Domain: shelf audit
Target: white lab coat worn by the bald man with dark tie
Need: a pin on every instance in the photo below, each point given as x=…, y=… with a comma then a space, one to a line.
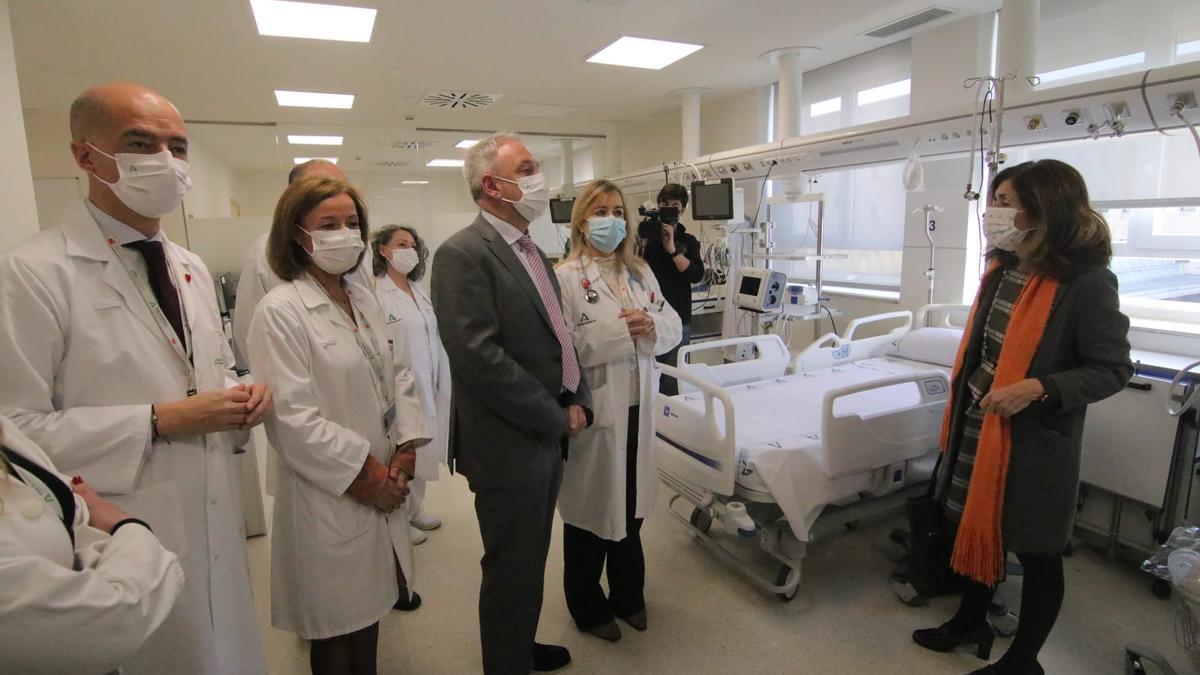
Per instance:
x=82, y=363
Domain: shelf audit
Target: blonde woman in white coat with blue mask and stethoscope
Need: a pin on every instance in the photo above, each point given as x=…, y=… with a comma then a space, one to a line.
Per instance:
x=620, y=324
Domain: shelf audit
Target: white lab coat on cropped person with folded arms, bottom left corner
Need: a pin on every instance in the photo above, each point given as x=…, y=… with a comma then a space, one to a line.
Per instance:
x=75, y=608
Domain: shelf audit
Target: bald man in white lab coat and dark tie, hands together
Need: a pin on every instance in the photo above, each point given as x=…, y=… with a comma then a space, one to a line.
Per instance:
x=118, y=367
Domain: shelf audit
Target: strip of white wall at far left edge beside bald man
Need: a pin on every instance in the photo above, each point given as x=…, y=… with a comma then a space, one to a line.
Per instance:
x=16, y=180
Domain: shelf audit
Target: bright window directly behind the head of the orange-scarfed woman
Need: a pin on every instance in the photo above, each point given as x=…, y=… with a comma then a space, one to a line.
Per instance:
x=1145, y=188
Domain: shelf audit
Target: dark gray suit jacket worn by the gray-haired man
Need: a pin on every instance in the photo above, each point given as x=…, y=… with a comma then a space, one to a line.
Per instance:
x=508, y=421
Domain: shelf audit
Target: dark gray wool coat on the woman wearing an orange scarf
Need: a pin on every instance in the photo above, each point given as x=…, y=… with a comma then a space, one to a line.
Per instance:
x=1083, y=359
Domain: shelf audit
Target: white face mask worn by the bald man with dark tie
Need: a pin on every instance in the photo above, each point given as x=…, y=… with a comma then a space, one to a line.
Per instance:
x=152, y=186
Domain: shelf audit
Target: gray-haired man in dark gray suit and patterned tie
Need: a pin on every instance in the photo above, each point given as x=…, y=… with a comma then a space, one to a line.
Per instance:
x=519, y=393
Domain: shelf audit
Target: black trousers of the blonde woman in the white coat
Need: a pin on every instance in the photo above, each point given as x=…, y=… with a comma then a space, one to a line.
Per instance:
x=586, y=557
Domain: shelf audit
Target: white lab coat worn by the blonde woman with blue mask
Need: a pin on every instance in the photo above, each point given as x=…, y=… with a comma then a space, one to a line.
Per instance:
x=593, y=493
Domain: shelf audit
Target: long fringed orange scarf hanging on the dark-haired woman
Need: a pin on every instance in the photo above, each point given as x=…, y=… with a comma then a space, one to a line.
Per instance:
x=979, y=549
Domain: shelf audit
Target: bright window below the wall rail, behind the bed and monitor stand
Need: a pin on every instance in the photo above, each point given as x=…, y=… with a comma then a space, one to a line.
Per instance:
x=865, y=218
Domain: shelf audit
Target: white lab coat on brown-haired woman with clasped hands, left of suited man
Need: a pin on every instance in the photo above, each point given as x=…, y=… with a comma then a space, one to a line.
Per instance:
x=333, y=568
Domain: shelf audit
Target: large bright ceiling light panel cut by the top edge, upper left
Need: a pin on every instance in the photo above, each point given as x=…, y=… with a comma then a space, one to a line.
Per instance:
x=280, y=19
